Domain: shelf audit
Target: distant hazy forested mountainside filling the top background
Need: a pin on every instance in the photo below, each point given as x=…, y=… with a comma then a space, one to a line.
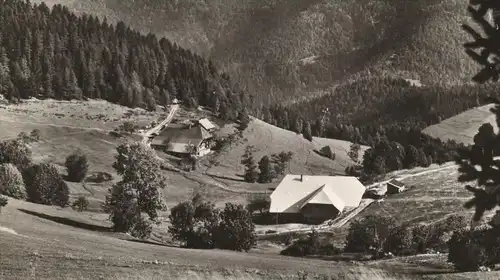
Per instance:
x=301, y=46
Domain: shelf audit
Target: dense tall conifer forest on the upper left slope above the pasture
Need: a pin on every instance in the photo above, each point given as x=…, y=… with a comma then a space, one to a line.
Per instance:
x=52, y=53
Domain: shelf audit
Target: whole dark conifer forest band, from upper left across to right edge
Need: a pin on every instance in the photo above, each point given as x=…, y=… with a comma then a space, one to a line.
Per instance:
x=52, y=53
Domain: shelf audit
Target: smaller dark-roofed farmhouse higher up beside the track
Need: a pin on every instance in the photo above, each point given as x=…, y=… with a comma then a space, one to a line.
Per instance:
x=182, y=140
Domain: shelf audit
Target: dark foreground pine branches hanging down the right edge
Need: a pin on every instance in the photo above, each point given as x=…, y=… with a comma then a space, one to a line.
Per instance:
x=486, y=142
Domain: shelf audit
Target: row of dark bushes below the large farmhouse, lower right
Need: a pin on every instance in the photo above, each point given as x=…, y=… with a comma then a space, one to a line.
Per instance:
x=381, y=235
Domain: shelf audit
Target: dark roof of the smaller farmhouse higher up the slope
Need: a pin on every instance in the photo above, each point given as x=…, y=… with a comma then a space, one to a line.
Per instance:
x=181, y=135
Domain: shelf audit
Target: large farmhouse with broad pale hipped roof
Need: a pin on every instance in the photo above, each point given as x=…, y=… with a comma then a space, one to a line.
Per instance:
x=315, y=198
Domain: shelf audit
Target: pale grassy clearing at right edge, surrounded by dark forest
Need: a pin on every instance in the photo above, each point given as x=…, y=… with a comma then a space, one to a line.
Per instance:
x=462, y=127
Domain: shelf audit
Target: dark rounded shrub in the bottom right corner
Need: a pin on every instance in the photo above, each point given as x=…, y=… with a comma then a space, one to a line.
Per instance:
x=470, y=249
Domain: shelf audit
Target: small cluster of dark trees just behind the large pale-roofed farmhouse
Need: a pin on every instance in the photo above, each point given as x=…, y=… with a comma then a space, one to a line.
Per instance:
x=267, y=169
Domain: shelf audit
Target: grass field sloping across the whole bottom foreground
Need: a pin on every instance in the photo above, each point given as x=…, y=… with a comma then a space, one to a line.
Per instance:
x=42, y=242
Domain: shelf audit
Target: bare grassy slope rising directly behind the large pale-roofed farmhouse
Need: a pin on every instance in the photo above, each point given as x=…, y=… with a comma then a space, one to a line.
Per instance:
x=268, y=139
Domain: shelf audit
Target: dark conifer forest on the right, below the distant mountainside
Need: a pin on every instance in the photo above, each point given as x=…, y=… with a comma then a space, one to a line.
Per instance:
x=376, y=112
